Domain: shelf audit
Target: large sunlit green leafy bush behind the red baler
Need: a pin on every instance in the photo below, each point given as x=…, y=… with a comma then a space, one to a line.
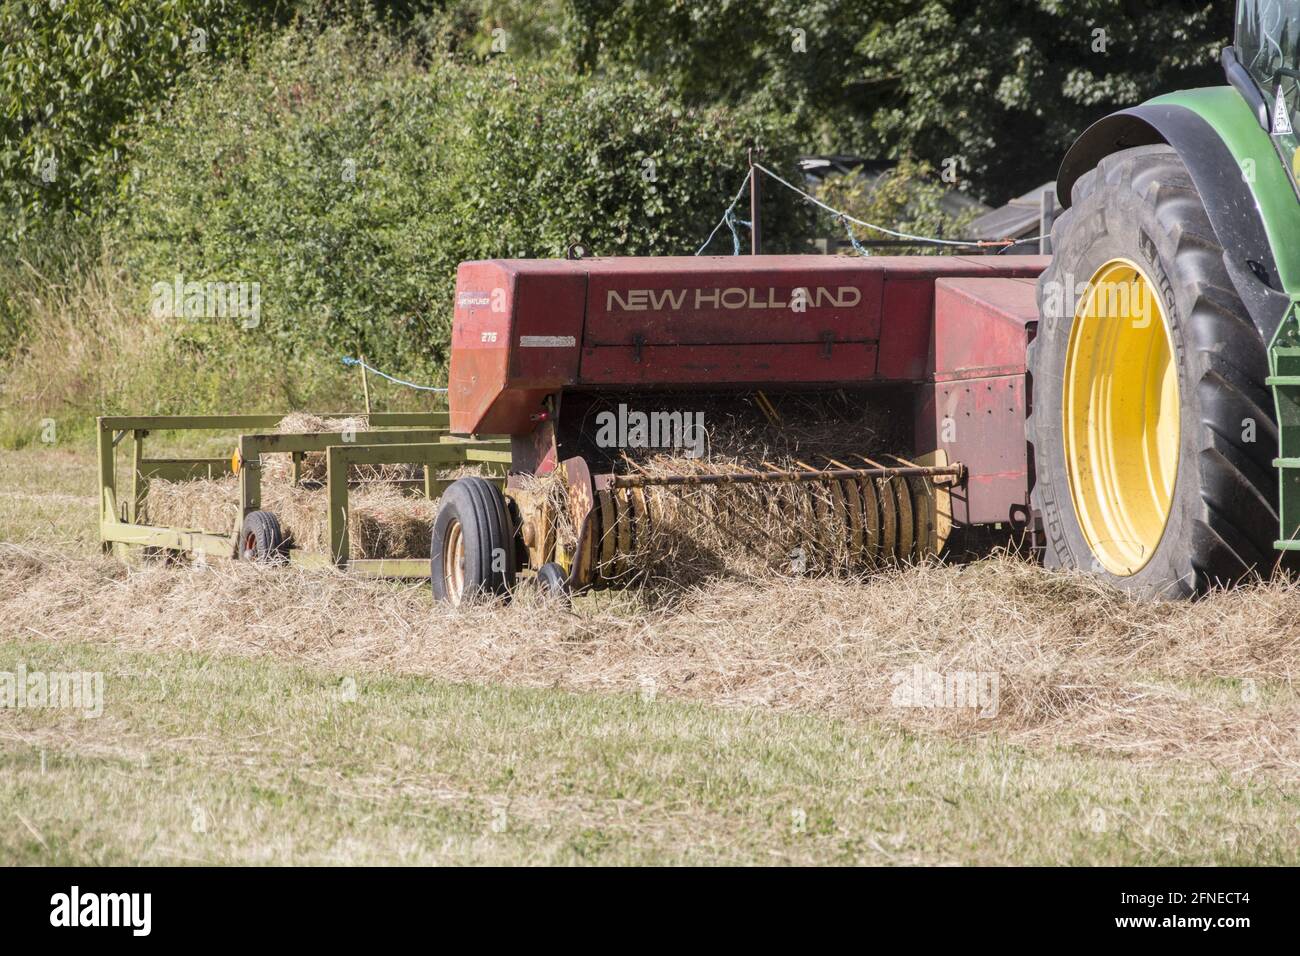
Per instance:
x=349, y=181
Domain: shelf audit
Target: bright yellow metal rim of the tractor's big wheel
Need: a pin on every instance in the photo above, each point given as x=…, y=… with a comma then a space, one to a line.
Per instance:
x=1121, y=417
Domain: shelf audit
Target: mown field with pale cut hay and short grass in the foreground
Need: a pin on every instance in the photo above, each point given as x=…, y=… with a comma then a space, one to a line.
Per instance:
x=279, y=717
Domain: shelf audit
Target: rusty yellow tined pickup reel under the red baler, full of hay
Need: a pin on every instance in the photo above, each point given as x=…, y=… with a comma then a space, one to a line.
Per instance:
x=805, y=520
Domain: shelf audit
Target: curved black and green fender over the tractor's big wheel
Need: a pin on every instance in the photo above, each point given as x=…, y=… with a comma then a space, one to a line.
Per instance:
x=1219, y=174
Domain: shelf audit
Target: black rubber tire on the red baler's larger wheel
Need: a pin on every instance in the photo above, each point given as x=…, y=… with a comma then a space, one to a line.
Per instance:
x=479, y=508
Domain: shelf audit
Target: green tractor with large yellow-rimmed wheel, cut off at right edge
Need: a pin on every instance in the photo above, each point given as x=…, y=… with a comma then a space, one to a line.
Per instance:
x=1167, y=369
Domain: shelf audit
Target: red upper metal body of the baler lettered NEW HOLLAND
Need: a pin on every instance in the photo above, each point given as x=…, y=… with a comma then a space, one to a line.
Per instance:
x=526, y=330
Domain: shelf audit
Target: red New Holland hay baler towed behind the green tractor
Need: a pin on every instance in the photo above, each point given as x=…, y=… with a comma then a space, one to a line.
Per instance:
x=938, y=340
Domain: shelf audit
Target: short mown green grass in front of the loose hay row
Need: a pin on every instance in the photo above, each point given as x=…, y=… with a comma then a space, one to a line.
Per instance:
x=280, y=768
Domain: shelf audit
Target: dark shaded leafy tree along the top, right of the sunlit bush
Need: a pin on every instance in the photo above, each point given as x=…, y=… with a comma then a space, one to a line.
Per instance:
x=998, y=88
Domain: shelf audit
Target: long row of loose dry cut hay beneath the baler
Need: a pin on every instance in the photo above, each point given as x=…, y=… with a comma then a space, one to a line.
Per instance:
x=999, y=648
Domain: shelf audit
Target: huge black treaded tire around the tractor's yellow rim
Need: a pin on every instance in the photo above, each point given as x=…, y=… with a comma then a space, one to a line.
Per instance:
x=1142, y=205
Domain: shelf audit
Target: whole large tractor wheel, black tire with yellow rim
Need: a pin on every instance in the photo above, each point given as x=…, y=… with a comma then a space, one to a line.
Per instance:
x=1152, y=429
